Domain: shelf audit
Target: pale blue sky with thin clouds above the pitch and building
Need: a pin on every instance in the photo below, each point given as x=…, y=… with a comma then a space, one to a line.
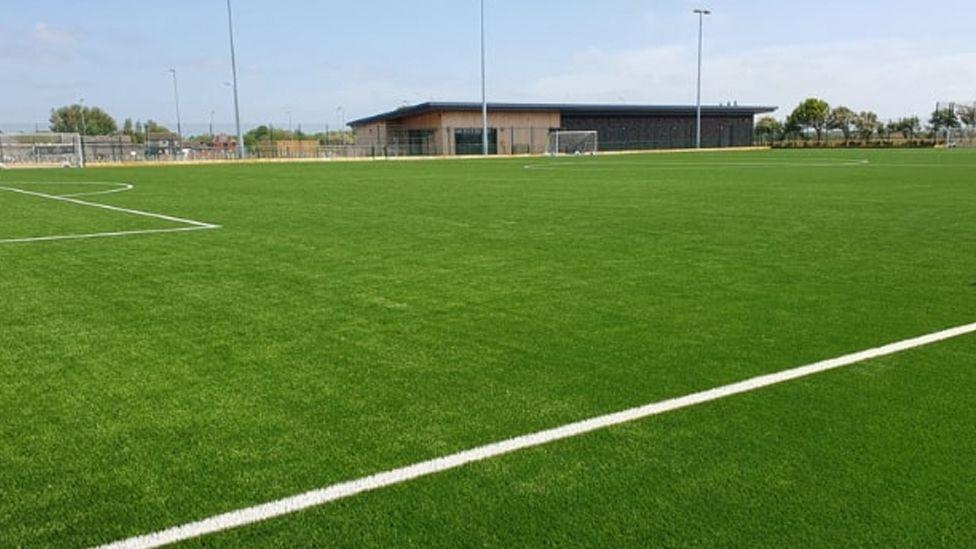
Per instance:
x=303, y=60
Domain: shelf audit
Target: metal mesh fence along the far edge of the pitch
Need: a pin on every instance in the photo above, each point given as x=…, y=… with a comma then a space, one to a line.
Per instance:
x=51, y=149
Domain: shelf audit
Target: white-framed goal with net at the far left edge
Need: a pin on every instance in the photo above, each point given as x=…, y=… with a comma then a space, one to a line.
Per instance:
x=41, y=149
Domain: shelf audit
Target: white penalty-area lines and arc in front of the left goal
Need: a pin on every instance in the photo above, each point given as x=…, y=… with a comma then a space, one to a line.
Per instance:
x=193, y=225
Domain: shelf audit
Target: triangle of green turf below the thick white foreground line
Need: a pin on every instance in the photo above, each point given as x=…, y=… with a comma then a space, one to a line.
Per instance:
x=840, y=470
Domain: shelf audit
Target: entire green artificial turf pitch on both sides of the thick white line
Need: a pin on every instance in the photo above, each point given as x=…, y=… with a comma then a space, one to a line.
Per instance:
x=350, y=318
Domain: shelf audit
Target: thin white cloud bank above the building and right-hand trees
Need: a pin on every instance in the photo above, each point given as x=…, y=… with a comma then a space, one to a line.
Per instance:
x=891, y=77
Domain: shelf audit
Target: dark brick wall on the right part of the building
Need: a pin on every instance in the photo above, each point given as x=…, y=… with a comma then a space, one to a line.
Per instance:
x=653, y=132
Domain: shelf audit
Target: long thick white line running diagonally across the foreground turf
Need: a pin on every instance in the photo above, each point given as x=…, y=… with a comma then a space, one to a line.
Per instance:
x=315, y=498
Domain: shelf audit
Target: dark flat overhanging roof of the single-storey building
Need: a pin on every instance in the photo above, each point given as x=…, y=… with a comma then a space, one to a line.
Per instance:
x=568, y=109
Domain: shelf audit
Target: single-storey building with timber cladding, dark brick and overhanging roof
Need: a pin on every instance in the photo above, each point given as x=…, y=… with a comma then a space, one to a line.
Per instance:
x=447, y=129
